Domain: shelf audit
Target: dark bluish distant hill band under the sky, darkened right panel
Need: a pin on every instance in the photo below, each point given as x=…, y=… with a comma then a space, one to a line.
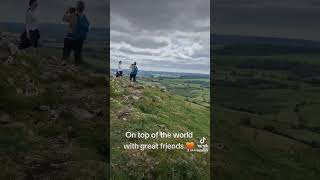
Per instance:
x=255, y=46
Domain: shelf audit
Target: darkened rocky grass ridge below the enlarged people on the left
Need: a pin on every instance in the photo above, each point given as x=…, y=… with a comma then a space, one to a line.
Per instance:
x=51, y=116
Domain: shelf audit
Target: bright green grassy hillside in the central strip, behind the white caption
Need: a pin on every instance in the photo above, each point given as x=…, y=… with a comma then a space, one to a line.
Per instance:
x=149, y=114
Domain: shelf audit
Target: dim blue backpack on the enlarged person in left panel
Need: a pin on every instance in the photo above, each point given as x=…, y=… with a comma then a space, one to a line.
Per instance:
x=82, y=28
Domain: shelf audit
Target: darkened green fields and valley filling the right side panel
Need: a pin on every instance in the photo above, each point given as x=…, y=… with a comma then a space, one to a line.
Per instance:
x=266, y=115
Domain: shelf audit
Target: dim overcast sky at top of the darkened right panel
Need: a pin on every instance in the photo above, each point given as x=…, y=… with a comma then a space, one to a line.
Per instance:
x=276, y=18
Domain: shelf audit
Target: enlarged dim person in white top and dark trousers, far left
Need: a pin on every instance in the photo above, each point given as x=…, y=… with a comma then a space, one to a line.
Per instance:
x=31, y=35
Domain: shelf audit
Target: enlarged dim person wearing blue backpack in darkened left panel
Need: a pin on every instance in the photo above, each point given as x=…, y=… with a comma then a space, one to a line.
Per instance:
x=79, y=28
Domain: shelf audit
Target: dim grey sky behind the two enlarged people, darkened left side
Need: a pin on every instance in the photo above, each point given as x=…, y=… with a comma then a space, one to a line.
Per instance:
x=51, y=11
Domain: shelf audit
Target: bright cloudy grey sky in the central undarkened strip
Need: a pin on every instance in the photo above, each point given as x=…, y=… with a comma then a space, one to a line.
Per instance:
x=161, y=35
